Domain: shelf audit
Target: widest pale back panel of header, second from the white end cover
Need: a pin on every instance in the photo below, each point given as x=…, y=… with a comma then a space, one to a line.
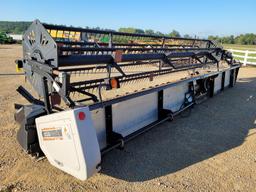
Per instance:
x=131, y=115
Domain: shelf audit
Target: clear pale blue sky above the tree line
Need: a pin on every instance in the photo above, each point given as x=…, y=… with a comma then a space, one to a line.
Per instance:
x=193, y=17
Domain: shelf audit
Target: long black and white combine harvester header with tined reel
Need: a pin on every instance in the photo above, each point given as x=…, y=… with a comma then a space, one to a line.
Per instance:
x=97, y=89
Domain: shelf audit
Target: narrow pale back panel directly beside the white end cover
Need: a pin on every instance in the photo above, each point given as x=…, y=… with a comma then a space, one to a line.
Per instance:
x=99, y=123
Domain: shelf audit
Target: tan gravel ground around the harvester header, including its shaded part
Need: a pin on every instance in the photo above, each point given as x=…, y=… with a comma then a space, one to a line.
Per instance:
x=213, y=149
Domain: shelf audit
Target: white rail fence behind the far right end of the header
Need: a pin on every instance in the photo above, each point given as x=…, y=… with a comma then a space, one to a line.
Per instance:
x=244, y=56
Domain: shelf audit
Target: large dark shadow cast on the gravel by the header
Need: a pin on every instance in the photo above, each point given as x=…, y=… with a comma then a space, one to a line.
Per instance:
x=213, y=127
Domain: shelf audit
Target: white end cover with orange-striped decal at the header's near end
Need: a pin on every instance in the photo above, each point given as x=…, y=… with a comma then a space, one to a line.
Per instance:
x=70, y=143
